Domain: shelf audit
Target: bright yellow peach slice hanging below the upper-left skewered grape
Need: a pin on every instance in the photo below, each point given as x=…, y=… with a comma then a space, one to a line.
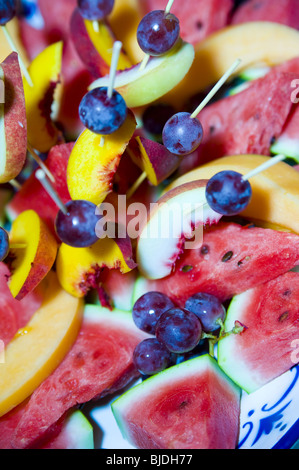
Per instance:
x=91, y=166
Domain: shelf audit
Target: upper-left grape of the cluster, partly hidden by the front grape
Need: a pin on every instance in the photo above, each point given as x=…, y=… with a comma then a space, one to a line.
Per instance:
x=148, y=309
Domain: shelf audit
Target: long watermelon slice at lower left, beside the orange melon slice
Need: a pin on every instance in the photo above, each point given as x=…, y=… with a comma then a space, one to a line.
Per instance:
x=99, y=363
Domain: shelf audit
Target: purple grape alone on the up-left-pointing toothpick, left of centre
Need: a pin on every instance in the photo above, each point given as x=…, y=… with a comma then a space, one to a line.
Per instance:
x=77, y=227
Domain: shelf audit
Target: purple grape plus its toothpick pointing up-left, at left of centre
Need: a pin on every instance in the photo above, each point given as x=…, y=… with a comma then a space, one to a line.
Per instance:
x=76, y=221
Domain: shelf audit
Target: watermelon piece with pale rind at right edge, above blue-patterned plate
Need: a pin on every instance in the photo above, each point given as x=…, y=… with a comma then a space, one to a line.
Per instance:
x=265, y=349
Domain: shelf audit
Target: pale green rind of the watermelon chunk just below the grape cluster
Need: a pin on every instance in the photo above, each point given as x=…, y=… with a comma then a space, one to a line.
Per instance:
x=149, y=387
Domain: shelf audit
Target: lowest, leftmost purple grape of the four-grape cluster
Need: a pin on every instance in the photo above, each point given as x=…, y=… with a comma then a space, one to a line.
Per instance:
x=151, y=357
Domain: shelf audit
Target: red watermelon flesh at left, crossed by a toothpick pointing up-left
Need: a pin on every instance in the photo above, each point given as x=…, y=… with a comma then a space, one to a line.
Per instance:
x=32, y=194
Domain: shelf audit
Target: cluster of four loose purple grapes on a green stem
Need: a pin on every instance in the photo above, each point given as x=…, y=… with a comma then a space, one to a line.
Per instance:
x=176, y=331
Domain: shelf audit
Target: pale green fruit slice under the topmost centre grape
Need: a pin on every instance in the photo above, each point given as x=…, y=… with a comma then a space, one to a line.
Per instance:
x=162, y=74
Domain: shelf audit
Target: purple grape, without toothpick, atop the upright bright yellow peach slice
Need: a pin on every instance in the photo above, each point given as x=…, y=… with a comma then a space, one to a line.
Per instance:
x=101, y=114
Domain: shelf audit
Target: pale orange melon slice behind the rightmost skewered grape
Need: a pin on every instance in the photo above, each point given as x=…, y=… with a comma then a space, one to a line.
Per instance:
x=275, y=192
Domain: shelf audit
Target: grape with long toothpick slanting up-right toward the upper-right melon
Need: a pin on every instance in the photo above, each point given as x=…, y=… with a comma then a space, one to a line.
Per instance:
x=183, y=133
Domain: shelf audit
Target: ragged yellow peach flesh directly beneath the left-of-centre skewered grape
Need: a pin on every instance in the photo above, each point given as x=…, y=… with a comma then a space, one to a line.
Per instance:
x=73, y=265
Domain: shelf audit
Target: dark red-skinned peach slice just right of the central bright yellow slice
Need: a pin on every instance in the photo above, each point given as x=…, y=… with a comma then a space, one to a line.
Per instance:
x=153, y=158
